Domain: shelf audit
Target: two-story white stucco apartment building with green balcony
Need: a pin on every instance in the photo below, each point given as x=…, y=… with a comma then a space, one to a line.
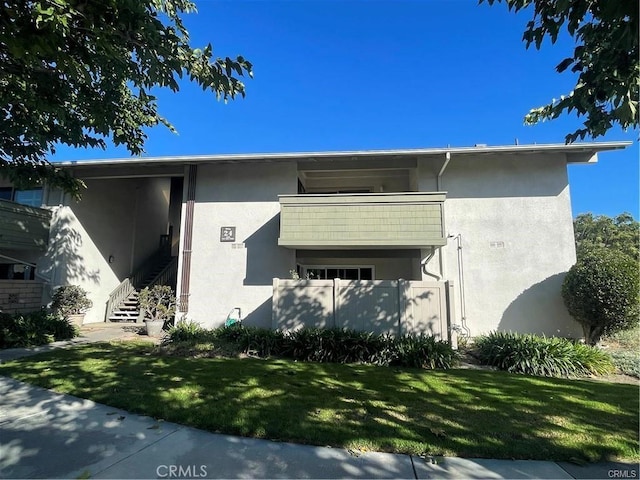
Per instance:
x=443, y=240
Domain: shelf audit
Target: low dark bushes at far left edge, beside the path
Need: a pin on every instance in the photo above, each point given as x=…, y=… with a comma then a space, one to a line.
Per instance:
x=32, y=329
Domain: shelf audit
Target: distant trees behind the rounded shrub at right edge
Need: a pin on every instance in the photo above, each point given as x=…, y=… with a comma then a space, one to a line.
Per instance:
x=621, y=233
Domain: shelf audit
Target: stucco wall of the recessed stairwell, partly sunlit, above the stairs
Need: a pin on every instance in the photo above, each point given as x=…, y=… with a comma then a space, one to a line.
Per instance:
x=123, y=218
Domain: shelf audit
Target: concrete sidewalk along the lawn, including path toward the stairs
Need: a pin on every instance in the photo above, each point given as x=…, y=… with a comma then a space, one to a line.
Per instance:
x=44, y=434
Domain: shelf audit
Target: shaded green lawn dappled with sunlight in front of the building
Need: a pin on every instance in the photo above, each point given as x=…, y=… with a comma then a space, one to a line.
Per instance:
x=467, y=413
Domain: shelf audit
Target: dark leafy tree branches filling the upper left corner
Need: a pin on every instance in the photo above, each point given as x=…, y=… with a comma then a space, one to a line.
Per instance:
x=77, y=72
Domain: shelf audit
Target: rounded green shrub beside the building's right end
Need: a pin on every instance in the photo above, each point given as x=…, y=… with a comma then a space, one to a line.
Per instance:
x=601, y=293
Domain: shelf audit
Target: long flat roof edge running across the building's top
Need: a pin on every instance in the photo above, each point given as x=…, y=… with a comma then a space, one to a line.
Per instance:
x=576, y=153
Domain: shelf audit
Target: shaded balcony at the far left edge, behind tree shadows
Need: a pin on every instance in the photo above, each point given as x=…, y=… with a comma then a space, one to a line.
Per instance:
x=23, y=227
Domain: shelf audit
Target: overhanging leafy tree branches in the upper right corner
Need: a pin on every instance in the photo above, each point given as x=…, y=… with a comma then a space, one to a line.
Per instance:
x=606, y=59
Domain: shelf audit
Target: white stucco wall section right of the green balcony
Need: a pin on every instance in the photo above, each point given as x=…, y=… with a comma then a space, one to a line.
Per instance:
x=514, y=218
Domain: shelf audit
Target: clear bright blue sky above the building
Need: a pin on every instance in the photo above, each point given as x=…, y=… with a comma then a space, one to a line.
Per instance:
x=368, y=74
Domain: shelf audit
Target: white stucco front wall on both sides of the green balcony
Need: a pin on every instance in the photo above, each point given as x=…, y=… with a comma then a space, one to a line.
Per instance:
x=513, y=215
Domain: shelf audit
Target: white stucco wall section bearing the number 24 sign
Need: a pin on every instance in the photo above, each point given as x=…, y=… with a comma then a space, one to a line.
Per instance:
x=238, y=274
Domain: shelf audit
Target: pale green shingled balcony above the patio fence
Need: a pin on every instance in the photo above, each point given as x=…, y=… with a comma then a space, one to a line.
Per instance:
x=362, y=221
